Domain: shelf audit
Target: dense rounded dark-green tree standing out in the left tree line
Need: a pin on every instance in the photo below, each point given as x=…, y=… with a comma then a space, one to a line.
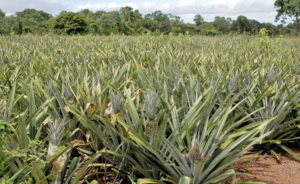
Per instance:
x=69, y=23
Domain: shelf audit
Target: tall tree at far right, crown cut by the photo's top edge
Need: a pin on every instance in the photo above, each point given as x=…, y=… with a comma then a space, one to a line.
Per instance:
x=289, y=8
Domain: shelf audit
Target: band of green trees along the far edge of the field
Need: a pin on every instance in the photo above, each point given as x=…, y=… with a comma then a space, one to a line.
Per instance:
x=128, y=21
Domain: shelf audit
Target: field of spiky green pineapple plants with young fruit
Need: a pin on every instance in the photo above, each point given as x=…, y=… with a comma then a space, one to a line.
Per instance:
x=145, y=109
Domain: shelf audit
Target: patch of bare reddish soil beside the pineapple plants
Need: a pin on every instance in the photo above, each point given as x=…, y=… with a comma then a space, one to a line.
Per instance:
x=269, y=170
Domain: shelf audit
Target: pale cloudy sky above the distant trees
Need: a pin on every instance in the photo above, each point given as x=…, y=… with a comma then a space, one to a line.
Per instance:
x=262, y=10
